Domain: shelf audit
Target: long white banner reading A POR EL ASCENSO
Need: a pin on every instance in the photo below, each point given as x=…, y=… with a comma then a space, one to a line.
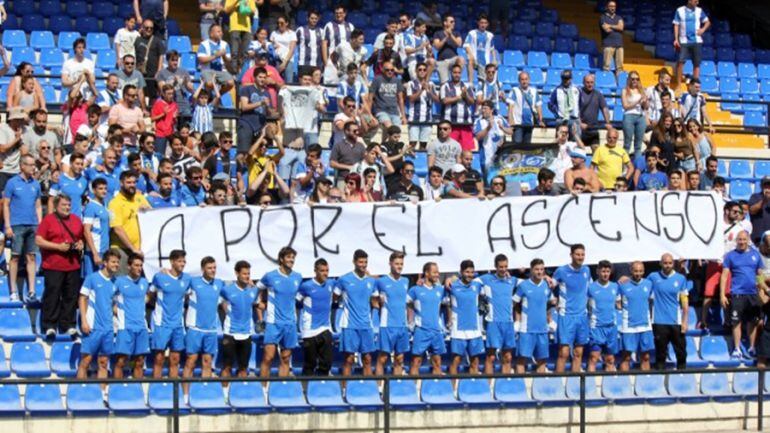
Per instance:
x=617, y=227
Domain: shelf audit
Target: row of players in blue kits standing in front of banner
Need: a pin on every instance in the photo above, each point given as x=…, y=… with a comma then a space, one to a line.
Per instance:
x=494, y=314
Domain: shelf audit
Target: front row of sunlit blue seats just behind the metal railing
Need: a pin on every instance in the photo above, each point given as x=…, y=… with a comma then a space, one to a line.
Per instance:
x=208, y=398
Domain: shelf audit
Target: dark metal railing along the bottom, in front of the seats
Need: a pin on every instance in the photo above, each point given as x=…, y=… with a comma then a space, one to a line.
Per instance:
x=386, y=379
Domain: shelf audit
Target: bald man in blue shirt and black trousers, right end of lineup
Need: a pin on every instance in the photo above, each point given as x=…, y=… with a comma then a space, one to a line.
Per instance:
x=670, y=304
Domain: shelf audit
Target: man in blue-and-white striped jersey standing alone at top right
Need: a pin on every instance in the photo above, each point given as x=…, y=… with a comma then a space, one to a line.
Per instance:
x=690, y=23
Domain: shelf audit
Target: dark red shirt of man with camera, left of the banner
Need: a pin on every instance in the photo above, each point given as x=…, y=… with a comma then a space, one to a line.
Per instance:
x=52, y=230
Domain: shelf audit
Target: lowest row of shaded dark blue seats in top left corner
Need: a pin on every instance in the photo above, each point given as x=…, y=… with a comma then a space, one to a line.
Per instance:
x=84, y=23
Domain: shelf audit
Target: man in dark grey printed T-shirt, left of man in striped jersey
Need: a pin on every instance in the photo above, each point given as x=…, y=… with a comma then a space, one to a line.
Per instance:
x=386, y=97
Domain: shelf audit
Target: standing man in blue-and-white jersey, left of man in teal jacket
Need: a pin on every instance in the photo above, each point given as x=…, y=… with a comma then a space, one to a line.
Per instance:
x=524, y=110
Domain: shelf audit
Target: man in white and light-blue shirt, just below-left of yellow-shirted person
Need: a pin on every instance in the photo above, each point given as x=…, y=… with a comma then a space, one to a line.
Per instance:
x=213, y=56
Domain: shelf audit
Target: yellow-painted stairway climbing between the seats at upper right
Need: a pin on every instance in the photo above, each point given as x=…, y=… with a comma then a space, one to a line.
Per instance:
x=582, y=13
